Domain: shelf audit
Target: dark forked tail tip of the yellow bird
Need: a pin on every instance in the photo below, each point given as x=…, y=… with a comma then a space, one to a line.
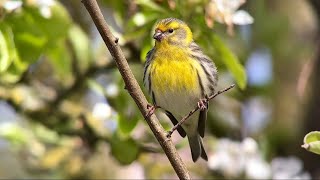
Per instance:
x=197, y=148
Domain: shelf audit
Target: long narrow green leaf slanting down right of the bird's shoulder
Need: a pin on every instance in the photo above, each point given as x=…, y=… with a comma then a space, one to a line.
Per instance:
x=231, y=61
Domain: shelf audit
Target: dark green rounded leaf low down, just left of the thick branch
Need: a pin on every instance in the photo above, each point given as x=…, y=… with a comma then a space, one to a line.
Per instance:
x=124, y=150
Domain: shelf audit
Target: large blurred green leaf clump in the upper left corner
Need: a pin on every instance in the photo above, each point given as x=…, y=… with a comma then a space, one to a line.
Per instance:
x=33, y=33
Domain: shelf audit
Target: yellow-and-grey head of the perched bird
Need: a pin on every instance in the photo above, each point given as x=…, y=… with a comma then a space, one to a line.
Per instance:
x=173, y=32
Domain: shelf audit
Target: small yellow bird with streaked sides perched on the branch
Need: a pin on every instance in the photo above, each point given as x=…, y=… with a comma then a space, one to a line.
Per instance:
x=177, y=75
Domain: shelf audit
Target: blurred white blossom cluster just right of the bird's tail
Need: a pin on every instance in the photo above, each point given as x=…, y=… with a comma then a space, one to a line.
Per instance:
x=233, y=159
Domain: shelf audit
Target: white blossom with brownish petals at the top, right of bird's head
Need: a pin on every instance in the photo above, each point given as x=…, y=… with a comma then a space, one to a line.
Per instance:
x=225, y=11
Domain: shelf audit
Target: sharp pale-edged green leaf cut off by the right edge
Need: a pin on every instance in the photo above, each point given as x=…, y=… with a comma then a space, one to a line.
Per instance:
x=312, y=142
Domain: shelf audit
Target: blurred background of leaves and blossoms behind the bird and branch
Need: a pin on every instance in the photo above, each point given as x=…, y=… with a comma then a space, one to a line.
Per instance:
x=64, y=111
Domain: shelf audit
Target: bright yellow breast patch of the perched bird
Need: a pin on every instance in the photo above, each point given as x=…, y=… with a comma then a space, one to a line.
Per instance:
x=173, y=71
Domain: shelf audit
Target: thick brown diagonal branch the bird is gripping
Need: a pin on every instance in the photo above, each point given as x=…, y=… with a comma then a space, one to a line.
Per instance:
x=134, y=89
